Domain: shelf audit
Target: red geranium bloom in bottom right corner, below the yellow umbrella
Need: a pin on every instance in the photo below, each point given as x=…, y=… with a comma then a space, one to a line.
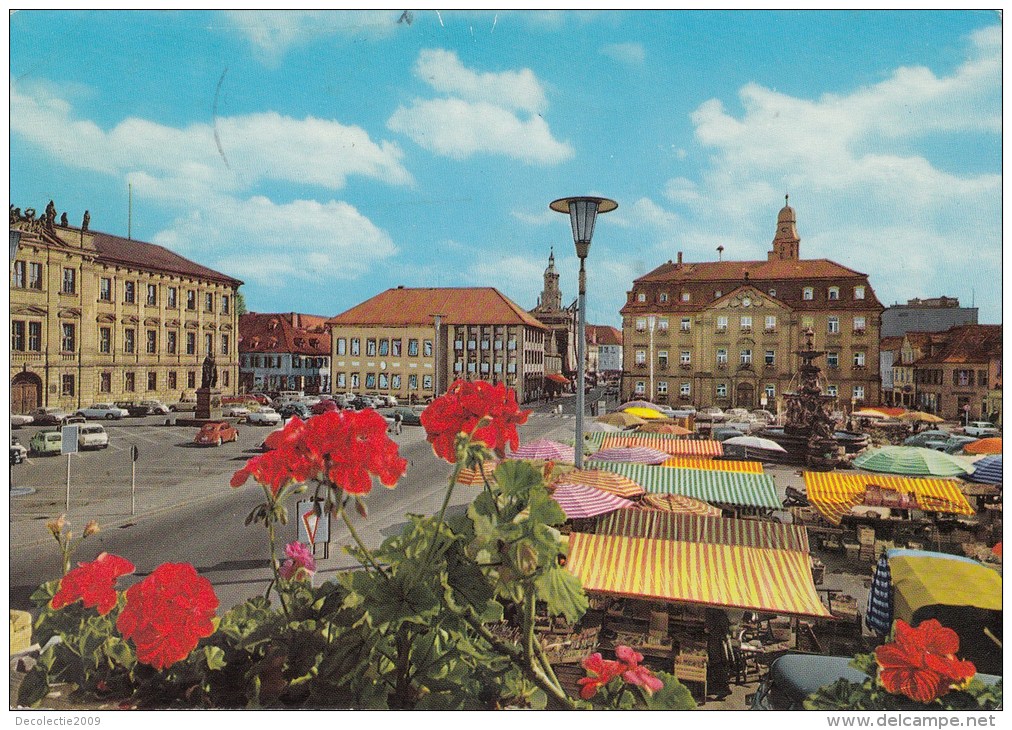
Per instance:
x=920, y=664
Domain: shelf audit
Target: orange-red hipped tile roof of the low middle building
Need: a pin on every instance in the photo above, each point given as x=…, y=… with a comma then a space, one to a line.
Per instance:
x=465, y=305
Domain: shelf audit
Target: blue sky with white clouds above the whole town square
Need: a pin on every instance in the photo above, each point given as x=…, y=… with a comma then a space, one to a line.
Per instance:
x=323, y=157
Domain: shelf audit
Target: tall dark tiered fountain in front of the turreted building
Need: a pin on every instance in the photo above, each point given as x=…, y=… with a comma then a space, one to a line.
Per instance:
x=808, y=433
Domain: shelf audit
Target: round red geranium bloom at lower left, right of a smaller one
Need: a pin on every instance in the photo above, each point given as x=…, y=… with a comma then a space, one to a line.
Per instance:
x=167, y=614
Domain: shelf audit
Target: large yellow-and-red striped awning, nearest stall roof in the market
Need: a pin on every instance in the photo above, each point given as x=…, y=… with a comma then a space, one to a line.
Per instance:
x=723, y=573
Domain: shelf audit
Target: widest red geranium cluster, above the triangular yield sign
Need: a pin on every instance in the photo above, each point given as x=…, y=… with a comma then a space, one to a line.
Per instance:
x=347, y=449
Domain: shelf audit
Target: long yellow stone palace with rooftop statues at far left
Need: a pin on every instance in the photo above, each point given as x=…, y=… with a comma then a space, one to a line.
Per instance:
x=100, y=318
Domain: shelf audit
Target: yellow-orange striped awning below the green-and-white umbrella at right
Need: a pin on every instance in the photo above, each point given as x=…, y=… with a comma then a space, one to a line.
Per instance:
x=835, y=495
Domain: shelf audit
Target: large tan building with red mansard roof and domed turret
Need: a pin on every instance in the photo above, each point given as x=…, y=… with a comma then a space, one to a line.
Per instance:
x=724, y=334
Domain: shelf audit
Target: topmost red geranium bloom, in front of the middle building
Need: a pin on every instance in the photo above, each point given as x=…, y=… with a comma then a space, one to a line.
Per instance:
x=463, y=408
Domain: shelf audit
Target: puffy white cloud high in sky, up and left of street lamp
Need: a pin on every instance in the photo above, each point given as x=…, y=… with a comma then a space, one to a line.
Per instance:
x=482, y=117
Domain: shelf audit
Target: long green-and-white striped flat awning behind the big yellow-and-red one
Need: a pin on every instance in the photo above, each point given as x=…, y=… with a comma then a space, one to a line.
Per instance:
x=731, y=489
